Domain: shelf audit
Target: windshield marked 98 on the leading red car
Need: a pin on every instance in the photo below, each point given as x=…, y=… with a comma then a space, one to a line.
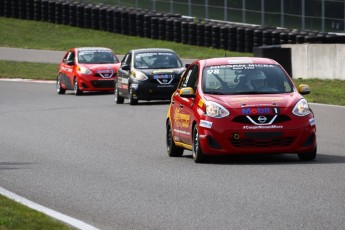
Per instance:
x=245, y=79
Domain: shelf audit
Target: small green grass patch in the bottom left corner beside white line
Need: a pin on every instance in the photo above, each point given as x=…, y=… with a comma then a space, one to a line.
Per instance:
x=16, y=216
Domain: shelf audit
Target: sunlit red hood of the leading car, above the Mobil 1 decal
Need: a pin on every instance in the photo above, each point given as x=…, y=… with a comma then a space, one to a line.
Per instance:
x=240, y=101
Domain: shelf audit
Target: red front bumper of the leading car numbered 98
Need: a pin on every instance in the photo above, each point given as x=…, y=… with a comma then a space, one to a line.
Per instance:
x=224, y=139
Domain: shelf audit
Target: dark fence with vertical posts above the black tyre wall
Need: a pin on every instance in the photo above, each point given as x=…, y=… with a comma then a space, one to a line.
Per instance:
x=321, y=15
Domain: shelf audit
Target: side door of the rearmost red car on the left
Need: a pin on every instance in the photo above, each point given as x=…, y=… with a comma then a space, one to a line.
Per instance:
x=66, y=69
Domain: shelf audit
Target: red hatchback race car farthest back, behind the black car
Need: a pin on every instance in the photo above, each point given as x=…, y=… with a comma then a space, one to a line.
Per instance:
x=87, y=69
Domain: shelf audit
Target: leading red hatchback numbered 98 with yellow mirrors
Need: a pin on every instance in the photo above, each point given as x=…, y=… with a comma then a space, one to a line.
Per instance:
x=234, y=105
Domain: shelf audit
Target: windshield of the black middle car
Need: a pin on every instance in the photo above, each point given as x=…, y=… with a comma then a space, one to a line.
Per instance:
x=156, y=60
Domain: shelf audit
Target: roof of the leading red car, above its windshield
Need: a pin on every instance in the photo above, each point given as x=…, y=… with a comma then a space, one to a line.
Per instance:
x=237, y=61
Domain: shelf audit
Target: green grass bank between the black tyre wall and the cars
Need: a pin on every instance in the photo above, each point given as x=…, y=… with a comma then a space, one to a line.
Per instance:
x=48, y=36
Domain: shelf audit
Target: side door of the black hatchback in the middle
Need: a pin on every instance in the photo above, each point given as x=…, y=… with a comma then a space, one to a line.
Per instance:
x=123, y=76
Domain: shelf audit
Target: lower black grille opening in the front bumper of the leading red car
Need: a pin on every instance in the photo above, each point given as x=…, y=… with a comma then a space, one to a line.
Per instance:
x=262, y=143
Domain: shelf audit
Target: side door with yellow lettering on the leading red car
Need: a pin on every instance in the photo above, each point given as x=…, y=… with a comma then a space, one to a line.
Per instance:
x=182, y=107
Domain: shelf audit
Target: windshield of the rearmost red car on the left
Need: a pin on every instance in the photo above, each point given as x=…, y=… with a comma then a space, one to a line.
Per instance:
x=96, y=56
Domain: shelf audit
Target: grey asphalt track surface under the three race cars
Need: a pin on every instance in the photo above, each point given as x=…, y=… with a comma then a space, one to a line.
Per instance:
x=106, y=165
